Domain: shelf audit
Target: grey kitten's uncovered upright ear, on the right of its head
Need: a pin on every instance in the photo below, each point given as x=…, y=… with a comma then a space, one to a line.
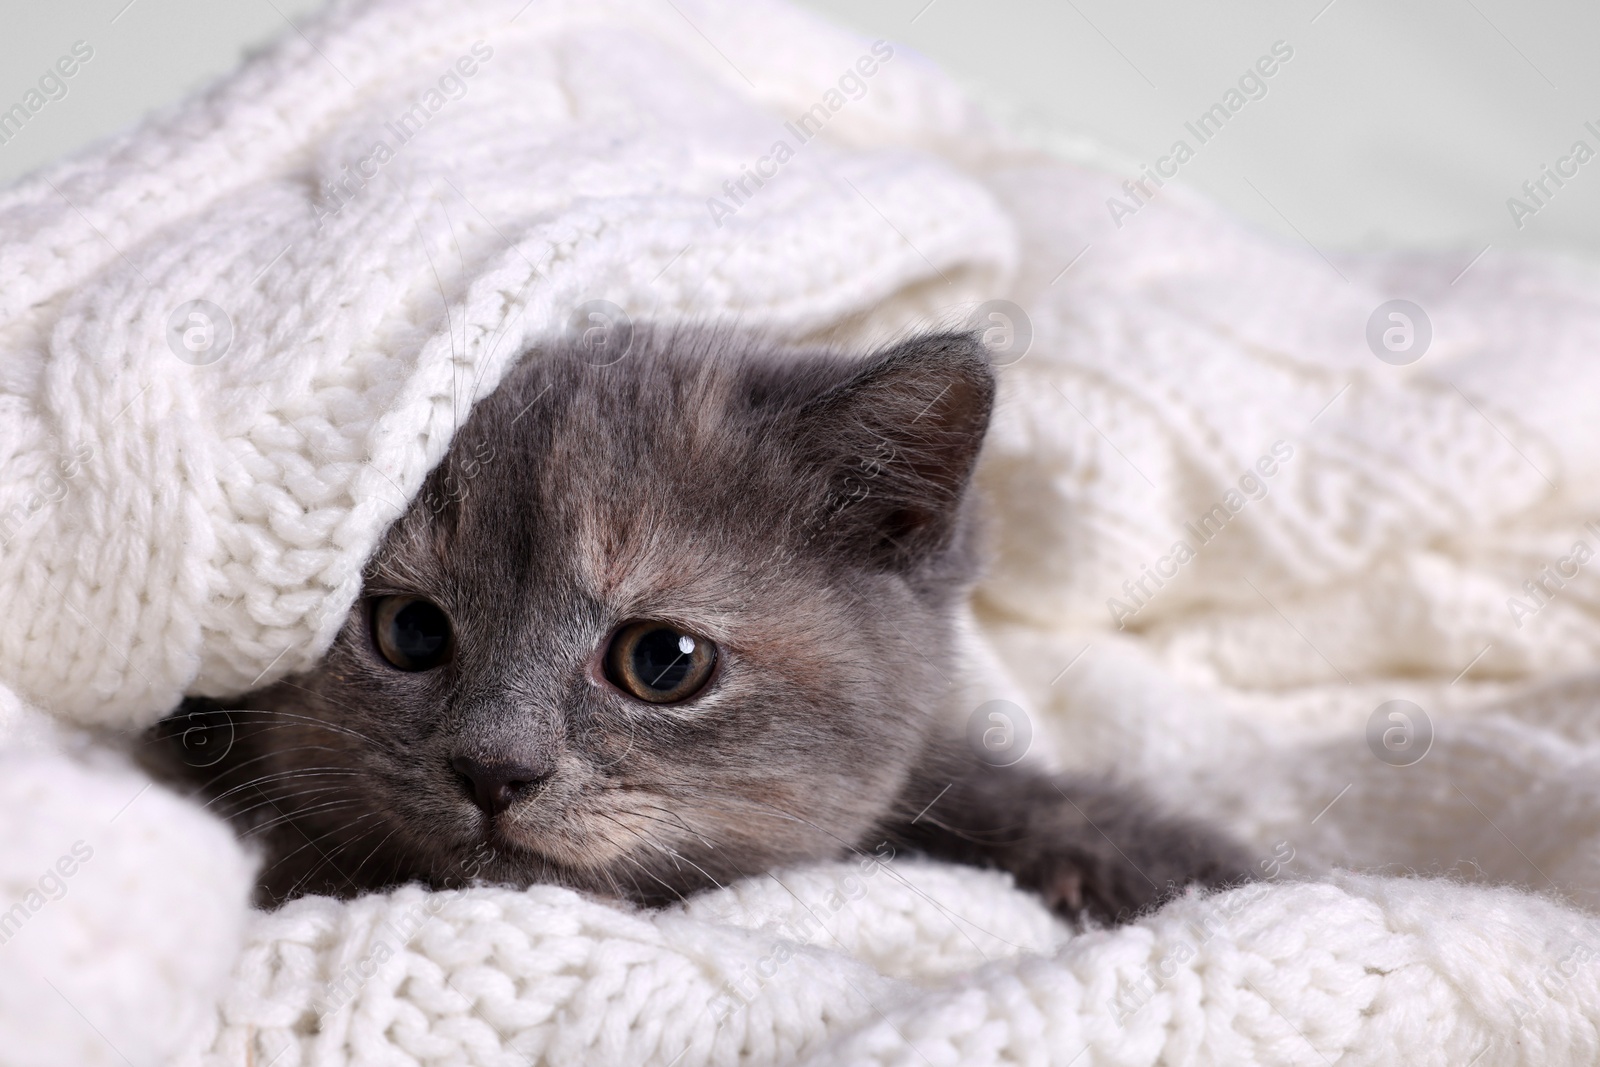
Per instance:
x=898, y=441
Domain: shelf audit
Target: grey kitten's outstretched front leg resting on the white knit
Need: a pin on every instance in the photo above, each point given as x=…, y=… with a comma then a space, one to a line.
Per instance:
x=1087, y=847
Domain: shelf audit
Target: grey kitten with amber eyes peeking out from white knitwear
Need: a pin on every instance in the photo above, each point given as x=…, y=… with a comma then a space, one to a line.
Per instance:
x=665, y=623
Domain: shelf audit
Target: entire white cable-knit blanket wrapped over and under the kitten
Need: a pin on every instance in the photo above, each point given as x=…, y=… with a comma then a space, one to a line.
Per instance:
x=1228, y=535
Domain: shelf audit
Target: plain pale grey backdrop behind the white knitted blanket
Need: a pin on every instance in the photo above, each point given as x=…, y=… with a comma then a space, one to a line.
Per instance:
x=1394, y=122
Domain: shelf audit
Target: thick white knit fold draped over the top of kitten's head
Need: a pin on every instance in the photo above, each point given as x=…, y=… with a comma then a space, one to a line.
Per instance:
x=215, y=533
